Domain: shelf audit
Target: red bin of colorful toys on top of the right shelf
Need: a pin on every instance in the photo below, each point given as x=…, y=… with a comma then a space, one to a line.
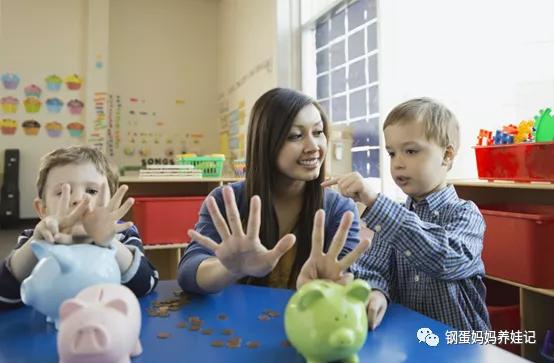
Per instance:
x=519, y=162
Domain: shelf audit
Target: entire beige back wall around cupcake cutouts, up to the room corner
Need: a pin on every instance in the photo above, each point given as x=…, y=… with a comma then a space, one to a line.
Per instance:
x=165, y=57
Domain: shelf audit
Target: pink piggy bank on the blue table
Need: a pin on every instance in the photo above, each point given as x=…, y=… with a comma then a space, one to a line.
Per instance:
x=100, y=324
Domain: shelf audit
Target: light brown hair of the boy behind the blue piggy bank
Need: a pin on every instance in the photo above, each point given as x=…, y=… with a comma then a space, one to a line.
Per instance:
x=76, y=155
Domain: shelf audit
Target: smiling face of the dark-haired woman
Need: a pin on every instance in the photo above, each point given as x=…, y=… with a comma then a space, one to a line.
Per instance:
x=305, y=146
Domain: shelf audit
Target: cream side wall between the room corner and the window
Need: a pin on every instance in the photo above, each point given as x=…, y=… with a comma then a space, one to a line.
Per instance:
x=246, y=68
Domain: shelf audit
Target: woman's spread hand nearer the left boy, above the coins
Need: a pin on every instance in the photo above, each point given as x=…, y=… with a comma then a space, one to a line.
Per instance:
x=242, y=254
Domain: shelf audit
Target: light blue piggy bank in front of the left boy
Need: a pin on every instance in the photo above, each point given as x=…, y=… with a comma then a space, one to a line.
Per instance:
x=63, y=271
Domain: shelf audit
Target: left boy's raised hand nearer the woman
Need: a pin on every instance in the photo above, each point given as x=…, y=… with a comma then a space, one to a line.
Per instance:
x=100, y=223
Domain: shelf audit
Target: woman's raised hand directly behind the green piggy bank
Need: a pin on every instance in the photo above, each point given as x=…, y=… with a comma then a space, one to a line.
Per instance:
x=320, y=265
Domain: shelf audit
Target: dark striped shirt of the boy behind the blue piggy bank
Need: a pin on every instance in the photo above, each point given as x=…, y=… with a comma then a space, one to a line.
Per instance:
x=141, y=277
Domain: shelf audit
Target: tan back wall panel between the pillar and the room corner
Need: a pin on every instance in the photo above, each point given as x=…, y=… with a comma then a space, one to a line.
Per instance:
x=163, y=62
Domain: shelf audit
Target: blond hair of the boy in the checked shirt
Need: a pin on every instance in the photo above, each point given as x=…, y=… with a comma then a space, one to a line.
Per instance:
x=439, y=122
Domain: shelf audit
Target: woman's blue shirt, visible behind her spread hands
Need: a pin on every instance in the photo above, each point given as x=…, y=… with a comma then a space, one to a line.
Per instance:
x=334, y=205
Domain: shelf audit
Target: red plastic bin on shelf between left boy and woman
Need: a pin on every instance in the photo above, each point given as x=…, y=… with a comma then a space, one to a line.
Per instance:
x=165, y=220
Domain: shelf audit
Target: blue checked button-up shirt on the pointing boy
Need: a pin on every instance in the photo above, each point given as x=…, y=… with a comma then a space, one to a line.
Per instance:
x=426, y=256
